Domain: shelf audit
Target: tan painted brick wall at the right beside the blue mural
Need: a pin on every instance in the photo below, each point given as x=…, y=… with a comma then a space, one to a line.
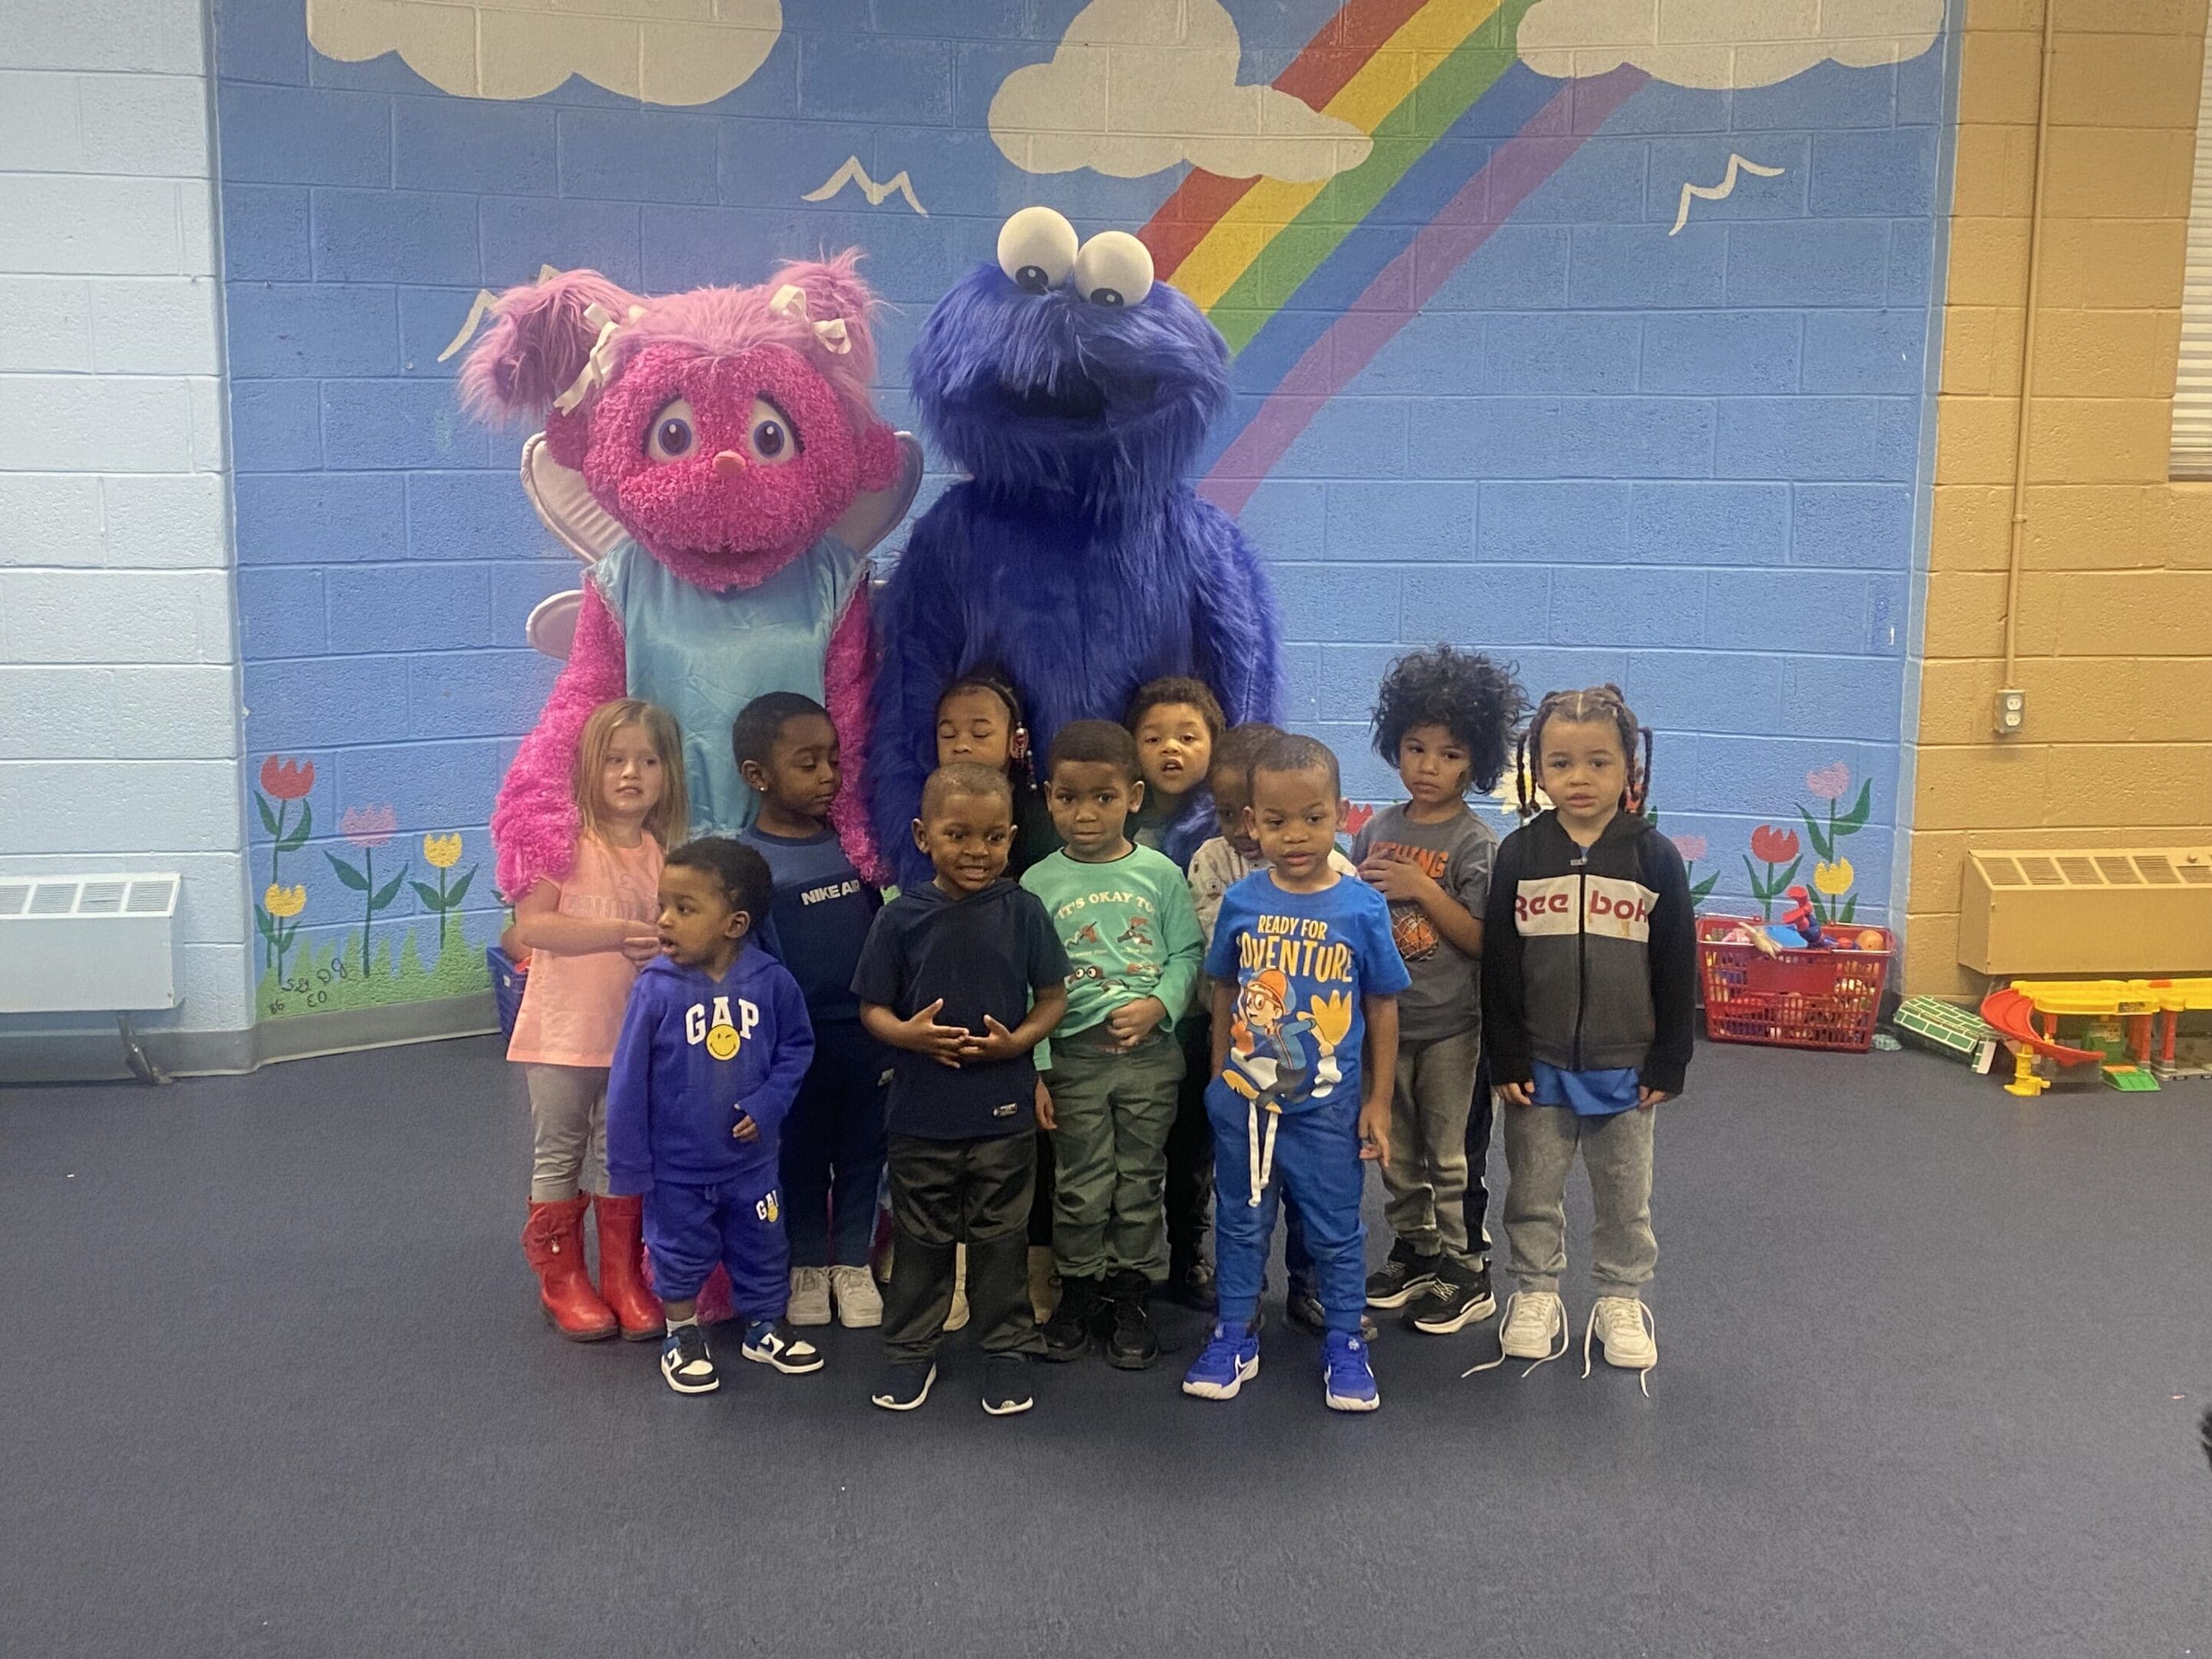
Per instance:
x=2116, y=596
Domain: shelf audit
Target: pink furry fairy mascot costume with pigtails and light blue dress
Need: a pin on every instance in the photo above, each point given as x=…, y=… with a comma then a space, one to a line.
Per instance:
x=700, y=450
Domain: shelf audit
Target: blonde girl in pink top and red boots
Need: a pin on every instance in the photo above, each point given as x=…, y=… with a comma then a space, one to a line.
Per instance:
x=587, y=935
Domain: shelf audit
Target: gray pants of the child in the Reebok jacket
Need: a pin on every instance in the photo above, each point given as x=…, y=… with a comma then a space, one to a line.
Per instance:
x=1618, y=1154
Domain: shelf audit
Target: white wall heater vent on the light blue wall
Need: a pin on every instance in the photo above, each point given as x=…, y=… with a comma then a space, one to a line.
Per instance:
x=87, y=943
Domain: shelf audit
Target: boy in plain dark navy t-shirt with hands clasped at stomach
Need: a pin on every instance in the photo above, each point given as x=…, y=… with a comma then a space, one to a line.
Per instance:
x=963, y=979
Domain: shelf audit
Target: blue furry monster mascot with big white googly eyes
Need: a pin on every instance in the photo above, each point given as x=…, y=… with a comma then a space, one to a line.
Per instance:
x=1074, y=559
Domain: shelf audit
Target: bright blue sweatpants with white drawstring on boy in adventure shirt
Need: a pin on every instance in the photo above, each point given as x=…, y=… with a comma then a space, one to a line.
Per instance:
x=1317, y=1162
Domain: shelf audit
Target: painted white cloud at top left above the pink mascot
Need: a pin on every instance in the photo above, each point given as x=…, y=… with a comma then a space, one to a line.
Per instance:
x=662, y=52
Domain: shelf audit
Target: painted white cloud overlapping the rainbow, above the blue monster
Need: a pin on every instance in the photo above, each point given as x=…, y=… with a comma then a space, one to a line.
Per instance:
x=1140, y=85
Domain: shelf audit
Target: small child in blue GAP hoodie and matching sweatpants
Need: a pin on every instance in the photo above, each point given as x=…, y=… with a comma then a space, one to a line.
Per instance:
x=709, y=1063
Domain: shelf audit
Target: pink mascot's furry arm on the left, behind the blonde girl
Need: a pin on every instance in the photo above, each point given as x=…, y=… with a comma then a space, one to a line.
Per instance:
x=536, y=824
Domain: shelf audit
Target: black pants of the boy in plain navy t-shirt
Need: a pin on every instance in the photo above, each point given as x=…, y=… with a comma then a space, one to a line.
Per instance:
x=948, y=1193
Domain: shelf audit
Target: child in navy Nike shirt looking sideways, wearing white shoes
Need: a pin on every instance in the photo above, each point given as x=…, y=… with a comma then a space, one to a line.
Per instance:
x=833, y=1142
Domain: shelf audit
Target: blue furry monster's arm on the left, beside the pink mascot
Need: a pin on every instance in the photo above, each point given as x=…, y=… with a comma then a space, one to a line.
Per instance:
x=919, y=638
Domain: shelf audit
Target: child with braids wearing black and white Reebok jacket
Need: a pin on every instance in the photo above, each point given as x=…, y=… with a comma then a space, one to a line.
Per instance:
x=1589, y=966
